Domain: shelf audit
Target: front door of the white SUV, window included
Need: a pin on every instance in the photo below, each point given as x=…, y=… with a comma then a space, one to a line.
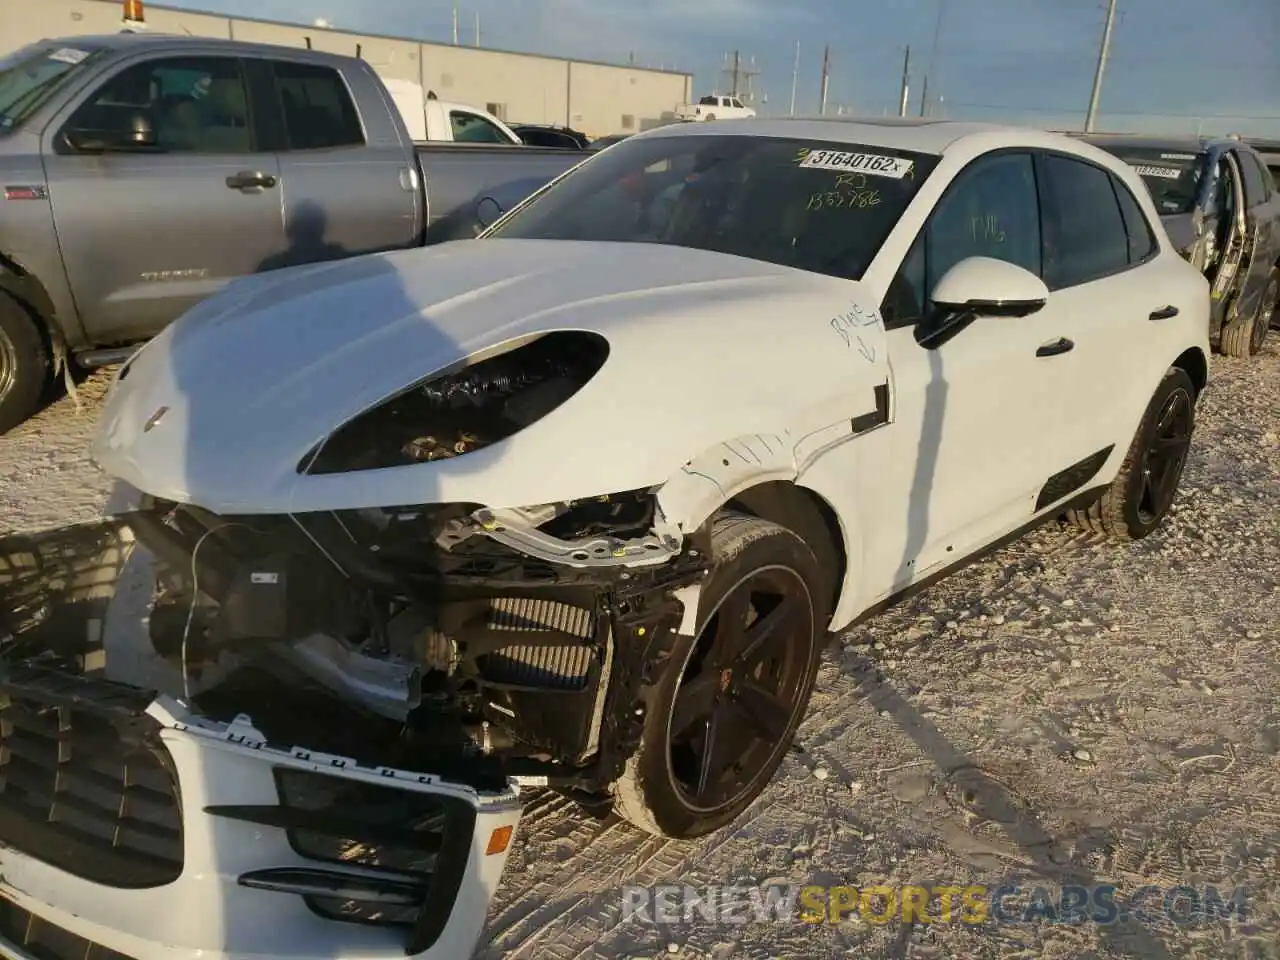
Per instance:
x=975, y=419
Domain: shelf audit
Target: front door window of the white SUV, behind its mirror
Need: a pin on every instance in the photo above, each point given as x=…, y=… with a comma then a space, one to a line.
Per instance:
x=991, y=211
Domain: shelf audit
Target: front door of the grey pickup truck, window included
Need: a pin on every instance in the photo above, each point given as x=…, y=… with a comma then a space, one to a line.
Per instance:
x=149, y=231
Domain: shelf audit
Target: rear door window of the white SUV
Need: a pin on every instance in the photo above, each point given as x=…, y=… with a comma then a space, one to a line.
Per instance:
x=1089, y=240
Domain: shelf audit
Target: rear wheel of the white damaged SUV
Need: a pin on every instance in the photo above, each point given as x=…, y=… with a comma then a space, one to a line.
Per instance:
x=1130, y=510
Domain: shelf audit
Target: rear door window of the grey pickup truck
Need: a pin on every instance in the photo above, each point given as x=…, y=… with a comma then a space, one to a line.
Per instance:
x=317, y=107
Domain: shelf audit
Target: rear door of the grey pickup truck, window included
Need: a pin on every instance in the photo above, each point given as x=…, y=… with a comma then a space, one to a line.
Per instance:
x=351, y=182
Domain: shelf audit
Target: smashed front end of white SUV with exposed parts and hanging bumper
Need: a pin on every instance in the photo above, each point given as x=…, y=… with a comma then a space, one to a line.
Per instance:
x=294, y=708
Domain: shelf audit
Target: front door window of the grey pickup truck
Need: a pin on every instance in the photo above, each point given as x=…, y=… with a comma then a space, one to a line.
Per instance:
x=193, y=104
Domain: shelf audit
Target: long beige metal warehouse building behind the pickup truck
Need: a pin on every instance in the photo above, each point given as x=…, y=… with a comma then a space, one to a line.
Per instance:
x=598, y=99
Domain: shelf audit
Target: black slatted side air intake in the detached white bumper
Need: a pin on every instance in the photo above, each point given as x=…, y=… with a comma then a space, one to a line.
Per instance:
x=420, y=843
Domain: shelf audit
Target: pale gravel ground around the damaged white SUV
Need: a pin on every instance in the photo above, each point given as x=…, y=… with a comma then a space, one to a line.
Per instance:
x=1067, y=712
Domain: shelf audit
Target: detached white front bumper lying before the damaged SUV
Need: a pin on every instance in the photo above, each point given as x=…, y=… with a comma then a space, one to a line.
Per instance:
x=241, y=888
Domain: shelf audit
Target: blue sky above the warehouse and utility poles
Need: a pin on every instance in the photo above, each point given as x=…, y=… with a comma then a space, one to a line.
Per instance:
x=1177, y=65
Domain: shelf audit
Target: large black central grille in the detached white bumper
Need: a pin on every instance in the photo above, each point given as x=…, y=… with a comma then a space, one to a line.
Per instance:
x=84, y=797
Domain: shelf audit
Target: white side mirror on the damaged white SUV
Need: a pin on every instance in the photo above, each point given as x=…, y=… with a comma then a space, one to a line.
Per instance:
x=981, y=287
